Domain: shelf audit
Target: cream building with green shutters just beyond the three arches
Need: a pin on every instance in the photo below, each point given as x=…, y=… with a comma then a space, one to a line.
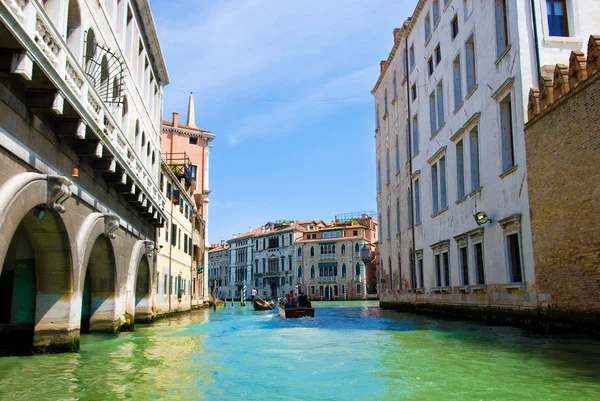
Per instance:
x=175, y=271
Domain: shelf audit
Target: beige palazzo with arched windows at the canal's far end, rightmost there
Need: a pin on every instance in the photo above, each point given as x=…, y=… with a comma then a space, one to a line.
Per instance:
x=331, y=265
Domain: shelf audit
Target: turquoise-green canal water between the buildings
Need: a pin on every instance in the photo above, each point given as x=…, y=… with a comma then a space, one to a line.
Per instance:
x=349, y=351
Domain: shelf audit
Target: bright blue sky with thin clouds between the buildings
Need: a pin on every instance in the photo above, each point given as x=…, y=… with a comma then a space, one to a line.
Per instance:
x=285, y=87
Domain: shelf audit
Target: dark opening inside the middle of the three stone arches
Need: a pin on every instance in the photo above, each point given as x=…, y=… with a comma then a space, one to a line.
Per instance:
x=99, y=289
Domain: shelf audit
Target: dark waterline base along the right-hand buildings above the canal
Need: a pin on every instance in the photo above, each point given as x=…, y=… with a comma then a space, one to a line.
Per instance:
x=543, y=320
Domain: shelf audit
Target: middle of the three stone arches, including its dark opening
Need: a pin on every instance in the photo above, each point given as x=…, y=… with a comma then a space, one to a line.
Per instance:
x=96, y=277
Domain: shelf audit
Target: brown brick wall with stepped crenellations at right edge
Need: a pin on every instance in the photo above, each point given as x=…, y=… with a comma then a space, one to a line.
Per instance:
x=562, y=140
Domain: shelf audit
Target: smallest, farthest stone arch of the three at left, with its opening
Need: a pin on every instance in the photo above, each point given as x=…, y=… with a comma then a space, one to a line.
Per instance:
x=139, y=281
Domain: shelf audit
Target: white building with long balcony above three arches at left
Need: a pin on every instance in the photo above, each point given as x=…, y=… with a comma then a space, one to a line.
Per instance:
x=80, y=109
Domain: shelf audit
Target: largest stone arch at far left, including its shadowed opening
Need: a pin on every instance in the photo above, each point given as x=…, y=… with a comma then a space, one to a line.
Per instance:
x=35, y=258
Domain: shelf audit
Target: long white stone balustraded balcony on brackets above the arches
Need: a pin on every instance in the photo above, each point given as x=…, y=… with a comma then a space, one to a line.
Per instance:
x=82, y=107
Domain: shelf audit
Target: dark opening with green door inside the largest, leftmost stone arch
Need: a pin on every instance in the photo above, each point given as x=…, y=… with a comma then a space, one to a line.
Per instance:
x=36, y=288
